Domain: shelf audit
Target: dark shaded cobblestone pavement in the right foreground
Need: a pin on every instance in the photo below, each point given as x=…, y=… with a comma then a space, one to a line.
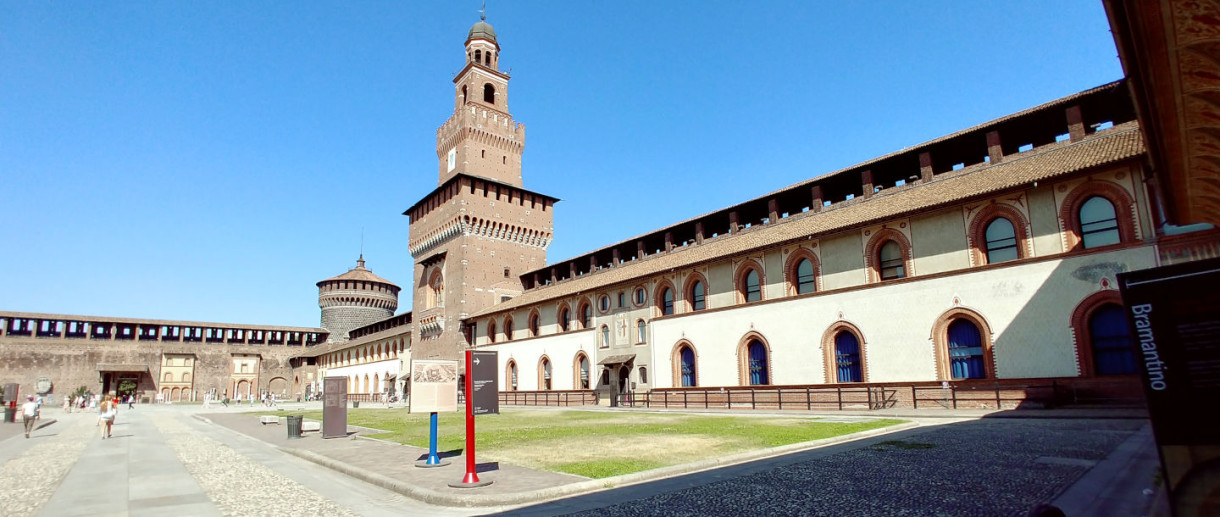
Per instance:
x=972, y=469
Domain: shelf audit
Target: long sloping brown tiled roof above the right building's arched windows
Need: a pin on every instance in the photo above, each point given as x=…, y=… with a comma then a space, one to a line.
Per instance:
x=1050, y=162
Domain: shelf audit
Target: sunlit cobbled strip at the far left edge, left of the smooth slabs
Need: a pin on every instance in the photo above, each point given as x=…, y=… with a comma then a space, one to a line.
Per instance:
x=29, y=480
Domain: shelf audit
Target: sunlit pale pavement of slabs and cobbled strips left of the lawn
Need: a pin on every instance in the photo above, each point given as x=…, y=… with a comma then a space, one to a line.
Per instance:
x=163, y=462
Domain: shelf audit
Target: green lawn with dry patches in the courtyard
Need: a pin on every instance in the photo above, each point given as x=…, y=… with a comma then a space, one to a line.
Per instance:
x=600, y=444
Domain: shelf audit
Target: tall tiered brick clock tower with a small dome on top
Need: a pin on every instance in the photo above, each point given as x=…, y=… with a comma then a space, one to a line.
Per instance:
x=480, y=230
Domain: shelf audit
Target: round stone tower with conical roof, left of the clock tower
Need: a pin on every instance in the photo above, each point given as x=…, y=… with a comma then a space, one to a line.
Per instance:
x=356, y=299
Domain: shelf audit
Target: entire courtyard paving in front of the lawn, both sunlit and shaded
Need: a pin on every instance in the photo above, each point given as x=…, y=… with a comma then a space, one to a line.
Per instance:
x=185, y=460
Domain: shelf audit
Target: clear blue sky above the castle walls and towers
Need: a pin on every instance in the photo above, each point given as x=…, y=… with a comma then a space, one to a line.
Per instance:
x=213, y=162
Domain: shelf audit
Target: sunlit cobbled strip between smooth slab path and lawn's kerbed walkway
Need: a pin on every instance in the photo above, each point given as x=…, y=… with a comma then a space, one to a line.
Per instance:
x=236, y=485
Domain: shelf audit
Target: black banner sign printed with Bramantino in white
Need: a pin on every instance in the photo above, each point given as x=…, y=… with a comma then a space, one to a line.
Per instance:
x=1174, y=314
